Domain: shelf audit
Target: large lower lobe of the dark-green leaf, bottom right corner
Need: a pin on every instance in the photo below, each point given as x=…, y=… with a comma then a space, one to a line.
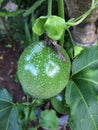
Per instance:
x=83, y=102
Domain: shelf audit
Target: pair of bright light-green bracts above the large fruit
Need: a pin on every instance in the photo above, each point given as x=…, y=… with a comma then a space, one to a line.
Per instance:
x=54, y=30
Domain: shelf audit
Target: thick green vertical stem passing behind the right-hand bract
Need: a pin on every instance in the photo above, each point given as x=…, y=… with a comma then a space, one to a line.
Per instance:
x=61, y=14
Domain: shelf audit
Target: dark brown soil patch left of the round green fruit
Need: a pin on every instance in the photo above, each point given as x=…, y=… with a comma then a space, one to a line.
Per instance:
x=8, y=68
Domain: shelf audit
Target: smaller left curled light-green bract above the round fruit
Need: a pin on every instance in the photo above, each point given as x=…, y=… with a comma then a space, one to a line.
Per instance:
x=38, y=27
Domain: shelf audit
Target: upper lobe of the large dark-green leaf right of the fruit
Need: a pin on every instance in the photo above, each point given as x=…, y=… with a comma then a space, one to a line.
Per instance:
x=87, y=58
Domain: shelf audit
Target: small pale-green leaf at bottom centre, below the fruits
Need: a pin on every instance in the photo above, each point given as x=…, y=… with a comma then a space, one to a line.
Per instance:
x=49, y=120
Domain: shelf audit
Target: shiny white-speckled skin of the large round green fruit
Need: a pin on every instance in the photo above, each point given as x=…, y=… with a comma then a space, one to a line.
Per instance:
x=42, y=73
